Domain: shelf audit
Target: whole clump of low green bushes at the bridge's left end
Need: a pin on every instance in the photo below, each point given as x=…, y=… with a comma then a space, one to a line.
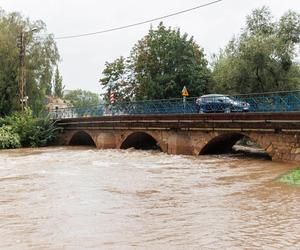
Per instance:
x=22, y=129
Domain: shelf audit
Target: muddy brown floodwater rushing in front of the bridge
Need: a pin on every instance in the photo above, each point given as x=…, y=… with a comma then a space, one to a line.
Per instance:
x=84, y=198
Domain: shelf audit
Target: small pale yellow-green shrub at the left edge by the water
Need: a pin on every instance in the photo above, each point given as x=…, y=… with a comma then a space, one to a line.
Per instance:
x=8, y=138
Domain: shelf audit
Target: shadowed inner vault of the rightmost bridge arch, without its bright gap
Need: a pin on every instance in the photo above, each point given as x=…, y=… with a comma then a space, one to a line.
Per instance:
x=223, y=143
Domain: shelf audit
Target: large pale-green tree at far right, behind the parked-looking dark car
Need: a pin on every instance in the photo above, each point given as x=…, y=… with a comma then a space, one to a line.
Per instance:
x=262, y=58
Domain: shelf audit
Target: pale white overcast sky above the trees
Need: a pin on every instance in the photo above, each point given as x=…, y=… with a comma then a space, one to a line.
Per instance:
x=83, y=59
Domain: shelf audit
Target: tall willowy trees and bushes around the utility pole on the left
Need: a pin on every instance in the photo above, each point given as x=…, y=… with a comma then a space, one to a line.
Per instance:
x=17, y=128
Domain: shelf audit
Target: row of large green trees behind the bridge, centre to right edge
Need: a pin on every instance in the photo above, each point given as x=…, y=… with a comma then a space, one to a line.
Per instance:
x=262, y=58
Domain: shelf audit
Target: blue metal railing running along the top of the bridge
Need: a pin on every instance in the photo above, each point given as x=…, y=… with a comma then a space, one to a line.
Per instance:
x=288, y=101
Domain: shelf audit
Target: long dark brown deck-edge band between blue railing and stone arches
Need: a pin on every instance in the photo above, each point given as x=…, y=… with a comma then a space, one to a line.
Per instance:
x=274, y=122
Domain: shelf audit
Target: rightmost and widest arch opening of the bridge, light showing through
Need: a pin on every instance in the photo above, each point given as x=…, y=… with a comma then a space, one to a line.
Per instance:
x=234, y=143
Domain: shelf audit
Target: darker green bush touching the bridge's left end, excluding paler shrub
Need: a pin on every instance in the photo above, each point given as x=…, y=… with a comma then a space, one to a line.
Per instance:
x=32, y=132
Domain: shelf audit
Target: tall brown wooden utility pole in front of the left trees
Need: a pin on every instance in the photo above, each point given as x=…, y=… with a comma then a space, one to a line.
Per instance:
x=22, y=78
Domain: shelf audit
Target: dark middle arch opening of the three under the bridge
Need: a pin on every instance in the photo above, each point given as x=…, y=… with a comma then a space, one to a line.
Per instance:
x=140, y=140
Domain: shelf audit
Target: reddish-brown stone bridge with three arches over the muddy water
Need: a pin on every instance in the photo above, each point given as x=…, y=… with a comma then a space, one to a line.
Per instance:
x=190, y=134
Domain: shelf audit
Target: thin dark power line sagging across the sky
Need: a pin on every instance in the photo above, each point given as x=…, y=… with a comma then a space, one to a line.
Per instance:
x=139, y=23
